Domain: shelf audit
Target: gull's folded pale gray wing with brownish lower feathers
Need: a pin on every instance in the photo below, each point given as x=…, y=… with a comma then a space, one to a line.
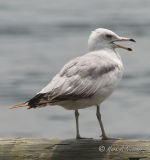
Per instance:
x=80, y=78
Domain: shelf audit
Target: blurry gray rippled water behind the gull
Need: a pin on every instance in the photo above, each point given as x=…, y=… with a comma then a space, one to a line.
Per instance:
x=38, y=37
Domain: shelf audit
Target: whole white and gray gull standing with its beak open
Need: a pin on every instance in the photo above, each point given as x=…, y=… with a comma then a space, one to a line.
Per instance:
x=87, y=80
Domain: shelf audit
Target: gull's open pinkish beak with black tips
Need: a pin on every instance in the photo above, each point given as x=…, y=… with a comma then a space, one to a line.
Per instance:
x=123, y=39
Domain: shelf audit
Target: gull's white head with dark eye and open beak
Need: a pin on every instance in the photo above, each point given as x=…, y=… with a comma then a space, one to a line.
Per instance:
x=103, y=38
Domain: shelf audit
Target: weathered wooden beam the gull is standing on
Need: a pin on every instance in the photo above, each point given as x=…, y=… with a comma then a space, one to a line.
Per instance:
x=56, y=149
